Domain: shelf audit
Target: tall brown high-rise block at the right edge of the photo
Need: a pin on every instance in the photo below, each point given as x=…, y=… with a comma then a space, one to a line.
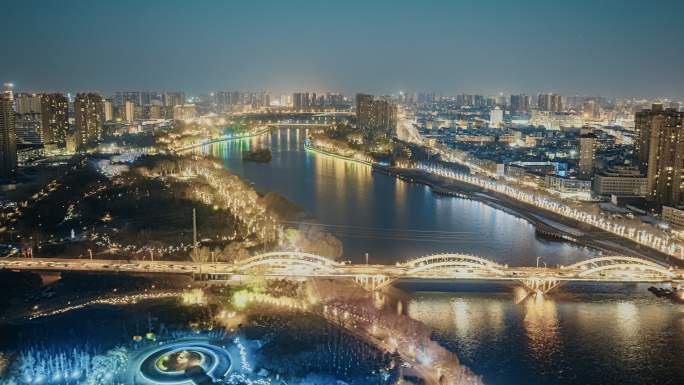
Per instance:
x=659, y=149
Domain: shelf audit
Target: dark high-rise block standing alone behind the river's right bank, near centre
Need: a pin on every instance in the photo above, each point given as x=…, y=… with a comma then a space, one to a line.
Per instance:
x=376, y=117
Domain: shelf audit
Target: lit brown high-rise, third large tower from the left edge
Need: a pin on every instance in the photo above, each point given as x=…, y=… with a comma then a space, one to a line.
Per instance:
x=89, y=111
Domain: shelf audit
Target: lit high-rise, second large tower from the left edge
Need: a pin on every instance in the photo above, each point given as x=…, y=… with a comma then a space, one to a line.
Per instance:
x=54, y=110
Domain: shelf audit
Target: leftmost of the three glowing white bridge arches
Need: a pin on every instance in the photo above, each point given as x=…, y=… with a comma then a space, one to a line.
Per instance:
x=288, y=263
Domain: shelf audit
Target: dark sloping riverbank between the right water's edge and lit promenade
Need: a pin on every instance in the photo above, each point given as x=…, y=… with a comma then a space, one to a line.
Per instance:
x=547, y=223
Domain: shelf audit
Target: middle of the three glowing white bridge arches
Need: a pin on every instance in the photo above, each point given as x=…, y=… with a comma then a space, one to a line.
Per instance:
x=453, y=264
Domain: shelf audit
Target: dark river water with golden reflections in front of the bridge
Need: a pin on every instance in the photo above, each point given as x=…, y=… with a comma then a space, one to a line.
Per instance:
x=602, y=336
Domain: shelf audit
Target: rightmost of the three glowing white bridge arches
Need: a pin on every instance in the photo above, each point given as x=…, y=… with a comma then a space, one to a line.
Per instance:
x=636, y=269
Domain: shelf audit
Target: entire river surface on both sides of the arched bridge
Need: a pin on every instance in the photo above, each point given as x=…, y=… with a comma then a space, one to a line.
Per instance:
x=580, y=334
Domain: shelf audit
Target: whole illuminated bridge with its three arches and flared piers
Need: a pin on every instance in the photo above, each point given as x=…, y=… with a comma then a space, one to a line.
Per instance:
x=374, y=277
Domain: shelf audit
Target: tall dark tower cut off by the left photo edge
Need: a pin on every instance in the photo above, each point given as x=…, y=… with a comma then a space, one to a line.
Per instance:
x=8, y=135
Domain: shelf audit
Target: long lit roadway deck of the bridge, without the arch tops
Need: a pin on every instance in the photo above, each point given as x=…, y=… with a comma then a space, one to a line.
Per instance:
x=647, y=271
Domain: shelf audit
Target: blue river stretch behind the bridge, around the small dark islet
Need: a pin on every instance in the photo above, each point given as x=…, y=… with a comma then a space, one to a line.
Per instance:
x=388, y=218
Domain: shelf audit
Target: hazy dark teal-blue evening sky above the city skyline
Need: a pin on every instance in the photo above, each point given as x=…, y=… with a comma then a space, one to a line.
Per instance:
x=607, y=47
